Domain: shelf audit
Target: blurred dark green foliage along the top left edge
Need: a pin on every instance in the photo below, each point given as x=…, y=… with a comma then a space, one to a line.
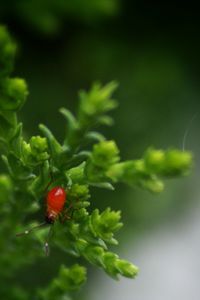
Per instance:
x=47, y=16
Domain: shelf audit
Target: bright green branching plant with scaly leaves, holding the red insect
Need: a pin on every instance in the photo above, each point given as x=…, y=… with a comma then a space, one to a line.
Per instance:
x=84, y=159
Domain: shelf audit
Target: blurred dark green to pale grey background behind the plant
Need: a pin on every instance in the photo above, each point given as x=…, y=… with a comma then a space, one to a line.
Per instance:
x=153, y=52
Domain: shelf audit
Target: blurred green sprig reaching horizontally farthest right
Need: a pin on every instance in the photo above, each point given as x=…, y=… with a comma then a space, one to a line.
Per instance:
x=149, y=171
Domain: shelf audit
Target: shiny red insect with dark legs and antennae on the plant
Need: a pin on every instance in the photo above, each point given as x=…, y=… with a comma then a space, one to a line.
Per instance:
x=55, y=202
